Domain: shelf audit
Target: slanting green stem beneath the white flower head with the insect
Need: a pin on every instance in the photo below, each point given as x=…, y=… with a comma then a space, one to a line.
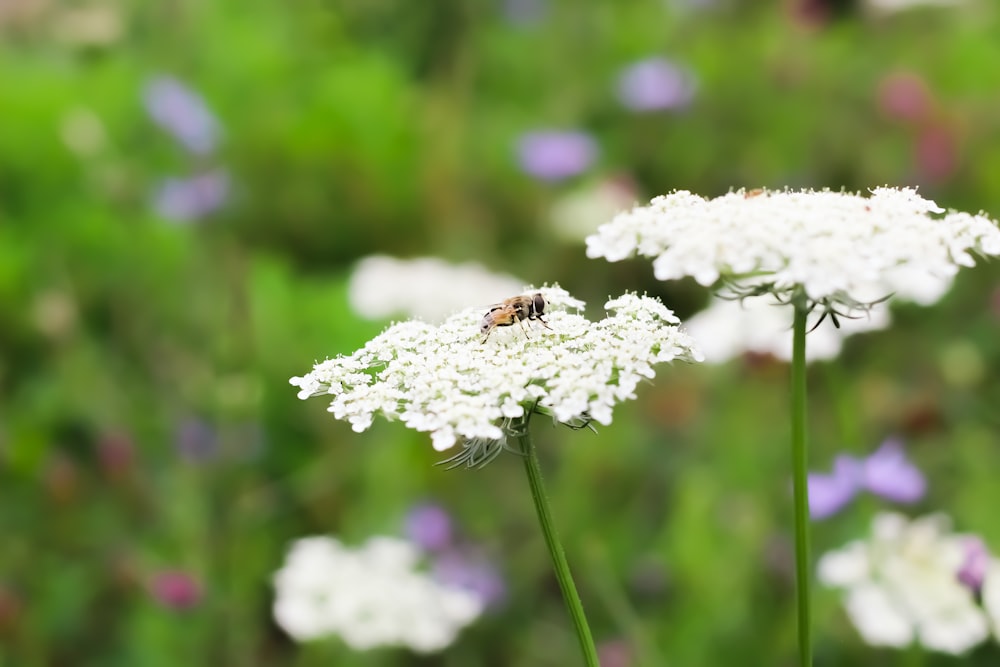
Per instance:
x=566, y=585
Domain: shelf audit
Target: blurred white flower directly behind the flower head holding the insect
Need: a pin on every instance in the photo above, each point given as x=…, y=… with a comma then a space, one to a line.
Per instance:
x=425, y=288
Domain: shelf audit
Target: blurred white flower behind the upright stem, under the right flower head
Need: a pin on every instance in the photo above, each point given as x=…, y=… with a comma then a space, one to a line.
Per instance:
x=729, y=328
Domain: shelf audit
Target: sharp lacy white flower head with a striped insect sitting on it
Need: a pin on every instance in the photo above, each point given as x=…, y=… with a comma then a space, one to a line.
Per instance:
x=447, y=381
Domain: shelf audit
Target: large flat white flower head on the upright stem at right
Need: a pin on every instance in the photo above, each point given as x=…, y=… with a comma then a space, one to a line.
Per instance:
x=839, y=247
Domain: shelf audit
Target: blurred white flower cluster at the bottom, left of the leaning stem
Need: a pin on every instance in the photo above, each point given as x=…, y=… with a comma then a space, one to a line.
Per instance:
x=370, y=596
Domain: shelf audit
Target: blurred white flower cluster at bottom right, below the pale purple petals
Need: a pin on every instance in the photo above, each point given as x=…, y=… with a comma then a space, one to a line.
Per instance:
x=901, y=585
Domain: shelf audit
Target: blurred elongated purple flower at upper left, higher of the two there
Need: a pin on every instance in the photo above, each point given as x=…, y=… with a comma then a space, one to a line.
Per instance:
x=182, y=113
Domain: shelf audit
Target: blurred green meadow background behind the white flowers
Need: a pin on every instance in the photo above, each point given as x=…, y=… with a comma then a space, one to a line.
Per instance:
x=187, y=188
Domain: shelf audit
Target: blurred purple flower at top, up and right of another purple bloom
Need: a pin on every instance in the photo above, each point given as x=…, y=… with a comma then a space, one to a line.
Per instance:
x=655, y=84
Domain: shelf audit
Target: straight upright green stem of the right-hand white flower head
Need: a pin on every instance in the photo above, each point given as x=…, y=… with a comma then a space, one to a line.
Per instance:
x=800, y=482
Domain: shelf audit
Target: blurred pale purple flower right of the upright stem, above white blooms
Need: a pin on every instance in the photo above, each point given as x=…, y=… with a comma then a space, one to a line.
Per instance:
x=886, y=473
